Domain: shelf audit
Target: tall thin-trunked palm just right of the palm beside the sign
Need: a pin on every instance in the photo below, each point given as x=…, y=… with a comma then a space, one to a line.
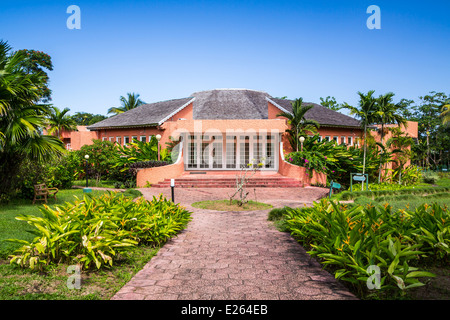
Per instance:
x=387, y=113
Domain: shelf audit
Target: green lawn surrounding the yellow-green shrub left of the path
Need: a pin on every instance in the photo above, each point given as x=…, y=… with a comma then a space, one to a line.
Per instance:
x=23, y=284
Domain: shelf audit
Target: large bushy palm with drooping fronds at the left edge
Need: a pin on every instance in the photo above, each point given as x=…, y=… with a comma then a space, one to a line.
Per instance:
x=21, y=119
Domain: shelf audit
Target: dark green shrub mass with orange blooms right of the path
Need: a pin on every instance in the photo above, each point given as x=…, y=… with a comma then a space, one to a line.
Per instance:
x=350, y=242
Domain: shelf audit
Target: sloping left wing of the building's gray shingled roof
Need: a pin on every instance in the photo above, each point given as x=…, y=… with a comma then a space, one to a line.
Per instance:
x=149, y=114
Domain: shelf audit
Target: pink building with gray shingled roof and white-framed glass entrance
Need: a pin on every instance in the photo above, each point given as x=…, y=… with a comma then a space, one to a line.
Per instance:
x=222, y=130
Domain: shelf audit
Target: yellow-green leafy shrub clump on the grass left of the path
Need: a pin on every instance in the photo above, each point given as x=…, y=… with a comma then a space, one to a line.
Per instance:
x=96, y=231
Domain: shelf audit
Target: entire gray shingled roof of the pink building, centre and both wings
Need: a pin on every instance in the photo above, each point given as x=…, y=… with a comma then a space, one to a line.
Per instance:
x=220, y=104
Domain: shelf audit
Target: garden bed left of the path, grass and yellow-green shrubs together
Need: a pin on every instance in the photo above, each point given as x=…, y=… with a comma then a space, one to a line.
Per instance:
x=128, y=238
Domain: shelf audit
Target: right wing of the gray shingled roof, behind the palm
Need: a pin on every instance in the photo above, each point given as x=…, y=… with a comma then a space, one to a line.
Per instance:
x=324, y=116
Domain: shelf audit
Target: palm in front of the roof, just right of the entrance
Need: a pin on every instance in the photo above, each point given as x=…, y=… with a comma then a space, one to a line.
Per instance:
x=299, y=124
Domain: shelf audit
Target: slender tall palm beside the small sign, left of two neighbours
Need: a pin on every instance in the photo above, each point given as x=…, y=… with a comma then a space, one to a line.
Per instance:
x=366, y=113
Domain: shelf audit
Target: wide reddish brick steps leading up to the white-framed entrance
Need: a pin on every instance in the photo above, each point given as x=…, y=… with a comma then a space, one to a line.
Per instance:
x=229, y=181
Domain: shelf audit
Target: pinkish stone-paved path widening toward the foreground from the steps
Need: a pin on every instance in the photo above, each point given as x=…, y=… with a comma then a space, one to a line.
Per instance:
x=233, y=255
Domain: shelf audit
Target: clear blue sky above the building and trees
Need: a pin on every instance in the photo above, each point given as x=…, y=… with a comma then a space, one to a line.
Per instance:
x=170, y=49
